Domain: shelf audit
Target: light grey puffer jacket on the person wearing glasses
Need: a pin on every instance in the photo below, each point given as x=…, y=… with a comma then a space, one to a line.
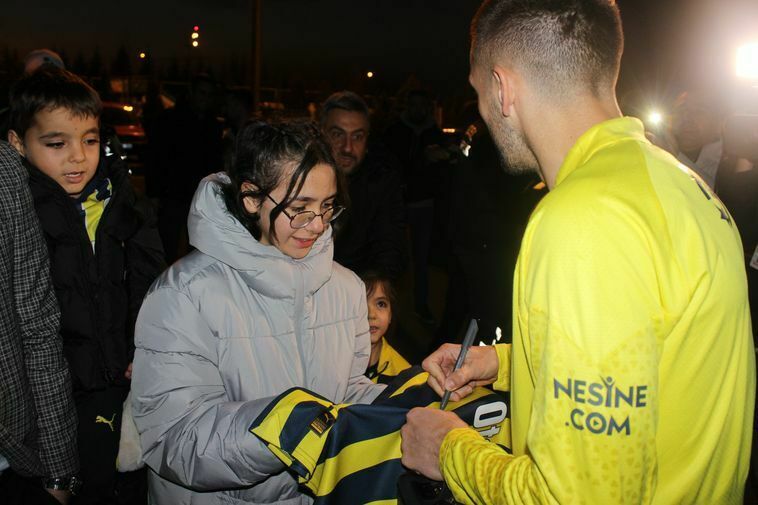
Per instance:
x=220, y=333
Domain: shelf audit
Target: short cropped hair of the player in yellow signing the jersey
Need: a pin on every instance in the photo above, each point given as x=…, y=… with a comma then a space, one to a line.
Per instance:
x=559, y=43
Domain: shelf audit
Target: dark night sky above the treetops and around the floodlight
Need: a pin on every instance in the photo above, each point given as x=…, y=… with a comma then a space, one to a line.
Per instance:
x=670, y=43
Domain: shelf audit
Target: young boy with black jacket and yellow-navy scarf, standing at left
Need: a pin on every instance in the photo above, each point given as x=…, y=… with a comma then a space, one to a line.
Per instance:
x=104, y=254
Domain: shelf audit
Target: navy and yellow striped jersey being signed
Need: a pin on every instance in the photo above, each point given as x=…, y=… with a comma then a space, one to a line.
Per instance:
x=351, y=453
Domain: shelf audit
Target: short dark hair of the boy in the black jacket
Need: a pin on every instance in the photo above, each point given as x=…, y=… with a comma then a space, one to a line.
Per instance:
x=50, y=88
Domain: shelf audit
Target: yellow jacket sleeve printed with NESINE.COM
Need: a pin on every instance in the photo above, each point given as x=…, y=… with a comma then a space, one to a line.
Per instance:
x=585, y=409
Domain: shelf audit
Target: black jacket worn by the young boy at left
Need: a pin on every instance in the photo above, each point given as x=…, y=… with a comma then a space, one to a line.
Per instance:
x=99, y=293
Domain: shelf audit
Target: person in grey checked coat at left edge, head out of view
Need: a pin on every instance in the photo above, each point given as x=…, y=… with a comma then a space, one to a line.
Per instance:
x=37, y=414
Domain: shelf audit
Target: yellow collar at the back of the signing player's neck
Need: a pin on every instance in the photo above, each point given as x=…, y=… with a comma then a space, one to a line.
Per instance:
x=600, y=136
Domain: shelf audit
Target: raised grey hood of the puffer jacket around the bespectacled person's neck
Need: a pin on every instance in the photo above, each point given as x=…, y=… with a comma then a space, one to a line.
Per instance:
x=218, y=234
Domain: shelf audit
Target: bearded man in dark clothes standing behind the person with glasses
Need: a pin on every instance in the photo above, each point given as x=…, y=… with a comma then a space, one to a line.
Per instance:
x=372, y=233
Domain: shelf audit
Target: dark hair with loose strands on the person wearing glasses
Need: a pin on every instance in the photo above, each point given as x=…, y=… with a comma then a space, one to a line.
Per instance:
x=262, y=151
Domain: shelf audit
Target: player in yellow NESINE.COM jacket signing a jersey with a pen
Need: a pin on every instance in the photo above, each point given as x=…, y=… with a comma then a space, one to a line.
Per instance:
x=632, y=369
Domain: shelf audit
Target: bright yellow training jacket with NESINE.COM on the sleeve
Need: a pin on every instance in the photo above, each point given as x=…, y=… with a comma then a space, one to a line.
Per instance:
x=632, y=367
